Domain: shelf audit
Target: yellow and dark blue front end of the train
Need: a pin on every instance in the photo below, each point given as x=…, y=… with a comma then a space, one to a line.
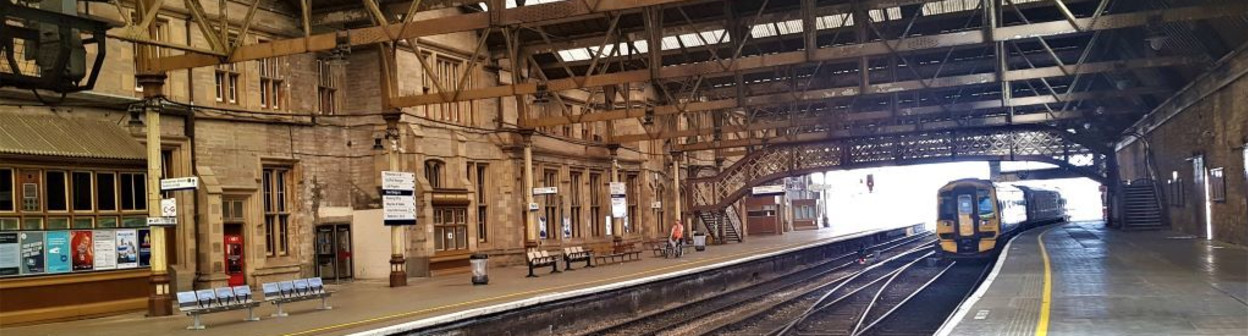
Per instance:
x=967, y=222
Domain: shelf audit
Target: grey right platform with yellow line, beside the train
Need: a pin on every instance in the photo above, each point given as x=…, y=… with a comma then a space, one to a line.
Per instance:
x=1100, y=282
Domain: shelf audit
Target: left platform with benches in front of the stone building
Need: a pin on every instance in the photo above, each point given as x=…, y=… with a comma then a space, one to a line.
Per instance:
x=361, y=307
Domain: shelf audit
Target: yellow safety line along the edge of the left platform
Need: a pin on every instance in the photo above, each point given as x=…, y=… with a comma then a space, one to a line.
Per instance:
x=545, y=290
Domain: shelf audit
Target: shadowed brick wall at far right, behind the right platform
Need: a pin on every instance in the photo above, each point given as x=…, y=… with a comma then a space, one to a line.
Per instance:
x=1215, y=127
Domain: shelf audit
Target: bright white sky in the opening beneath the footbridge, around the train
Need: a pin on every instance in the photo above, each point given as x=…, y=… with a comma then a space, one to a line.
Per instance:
x=908, y=194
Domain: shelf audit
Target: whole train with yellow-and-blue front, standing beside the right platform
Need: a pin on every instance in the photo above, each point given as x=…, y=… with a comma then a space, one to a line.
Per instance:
x=975, y=217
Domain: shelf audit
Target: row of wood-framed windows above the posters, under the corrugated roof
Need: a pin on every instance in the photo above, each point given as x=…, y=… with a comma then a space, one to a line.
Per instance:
x=54, y=199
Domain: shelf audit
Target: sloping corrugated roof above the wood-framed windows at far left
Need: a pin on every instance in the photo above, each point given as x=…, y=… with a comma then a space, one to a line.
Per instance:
x=67, y=138
